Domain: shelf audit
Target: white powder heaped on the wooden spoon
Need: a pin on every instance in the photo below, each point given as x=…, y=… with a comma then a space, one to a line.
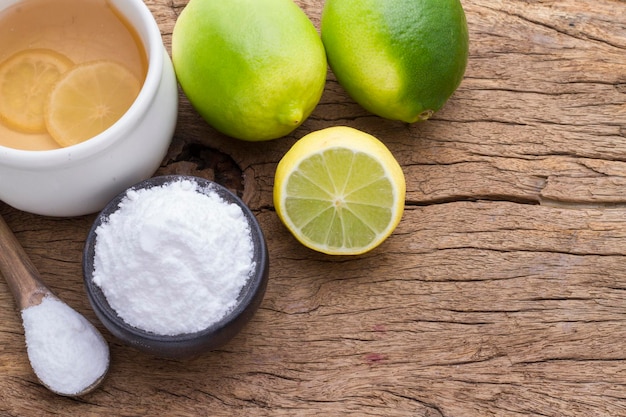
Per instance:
x=66, y=352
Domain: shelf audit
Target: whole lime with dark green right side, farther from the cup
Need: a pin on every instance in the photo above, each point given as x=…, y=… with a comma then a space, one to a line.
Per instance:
x=399, y=59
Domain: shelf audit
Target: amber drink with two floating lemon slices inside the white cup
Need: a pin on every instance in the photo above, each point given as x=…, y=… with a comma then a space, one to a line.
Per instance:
x=69, y=69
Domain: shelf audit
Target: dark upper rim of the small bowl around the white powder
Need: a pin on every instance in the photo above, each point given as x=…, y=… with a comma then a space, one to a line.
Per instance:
x=248, y=292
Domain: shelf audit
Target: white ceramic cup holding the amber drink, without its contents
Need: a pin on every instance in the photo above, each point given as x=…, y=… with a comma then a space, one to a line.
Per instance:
x=83, y=178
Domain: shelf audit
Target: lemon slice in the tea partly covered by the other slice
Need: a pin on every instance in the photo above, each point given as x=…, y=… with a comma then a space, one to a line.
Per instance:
x=25, y=82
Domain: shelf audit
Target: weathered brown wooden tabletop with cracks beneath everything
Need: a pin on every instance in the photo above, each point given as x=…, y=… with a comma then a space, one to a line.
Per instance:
x=501, y=293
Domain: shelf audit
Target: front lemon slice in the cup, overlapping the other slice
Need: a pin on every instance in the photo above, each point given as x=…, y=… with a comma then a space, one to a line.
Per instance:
x=88, y=99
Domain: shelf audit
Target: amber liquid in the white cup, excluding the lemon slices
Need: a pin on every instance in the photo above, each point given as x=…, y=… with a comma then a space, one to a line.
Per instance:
x=82, y=30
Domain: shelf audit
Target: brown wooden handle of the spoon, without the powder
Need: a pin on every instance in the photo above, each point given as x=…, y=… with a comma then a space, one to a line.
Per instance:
x=18, y=270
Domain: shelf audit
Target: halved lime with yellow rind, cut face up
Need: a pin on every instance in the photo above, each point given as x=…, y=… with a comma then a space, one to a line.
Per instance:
x=339, y=191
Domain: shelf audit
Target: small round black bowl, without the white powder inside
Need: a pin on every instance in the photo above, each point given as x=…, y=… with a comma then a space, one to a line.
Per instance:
x=191, y=344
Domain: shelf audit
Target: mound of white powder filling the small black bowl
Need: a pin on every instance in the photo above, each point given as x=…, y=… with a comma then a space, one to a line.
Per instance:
x=172, y=259
